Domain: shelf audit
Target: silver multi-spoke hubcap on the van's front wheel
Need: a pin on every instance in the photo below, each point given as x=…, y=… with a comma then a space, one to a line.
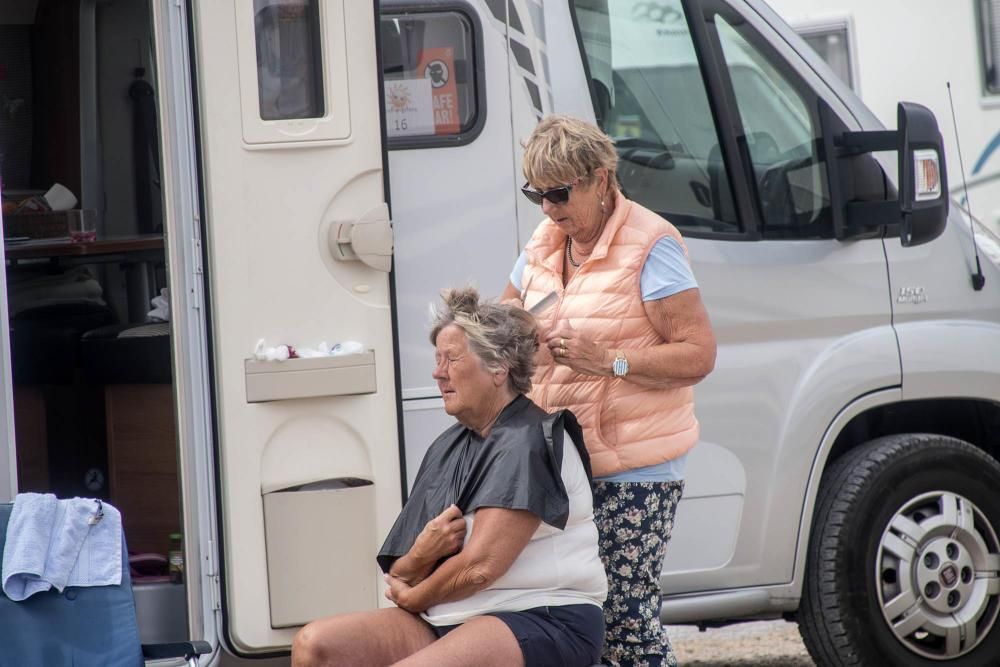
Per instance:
x=938, y=570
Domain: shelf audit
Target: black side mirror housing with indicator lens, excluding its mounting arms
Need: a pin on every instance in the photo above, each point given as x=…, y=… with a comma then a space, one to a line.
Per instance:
x=923, y=195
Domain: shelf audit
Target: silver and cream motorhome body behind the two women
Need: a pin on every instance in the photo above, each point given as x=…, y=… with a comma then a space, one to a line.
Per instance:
x=825, y=344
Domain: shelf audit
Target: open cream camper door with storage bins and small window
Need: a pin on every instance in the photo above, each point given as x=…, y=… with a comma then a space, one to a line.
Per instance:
x=299, y=250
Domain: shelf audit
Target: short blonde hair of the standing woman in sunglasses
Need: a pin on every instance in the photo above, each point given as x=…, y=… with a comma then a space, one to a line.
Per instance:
x=562, y=149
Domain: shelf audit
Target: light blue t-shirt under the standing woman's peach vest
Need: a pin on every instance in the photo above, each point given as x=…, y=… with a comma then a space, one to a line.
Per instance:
x=665, y=273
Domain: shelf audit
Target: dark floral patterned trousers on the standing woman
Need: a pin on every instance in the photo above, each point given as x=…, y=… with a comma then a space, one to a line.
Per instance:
x=634, y=522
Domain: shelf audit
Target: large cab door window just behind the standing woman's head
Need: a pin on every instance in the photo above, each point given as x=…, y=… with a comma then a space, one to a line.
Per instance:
x=650, y=98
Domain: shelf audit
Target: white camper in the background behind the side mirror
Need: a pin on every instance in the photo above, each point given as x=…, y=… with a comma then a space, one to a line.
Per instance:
x=891, y=56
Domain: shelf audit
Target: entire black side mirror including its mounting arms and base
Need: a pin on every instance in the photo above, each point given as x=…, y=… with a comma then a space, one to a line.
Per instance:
x=922, y=208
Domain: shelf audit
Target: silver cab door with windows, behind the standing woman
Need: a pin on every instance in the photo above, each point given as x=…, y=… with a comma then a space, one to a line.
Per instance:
x=718, y=128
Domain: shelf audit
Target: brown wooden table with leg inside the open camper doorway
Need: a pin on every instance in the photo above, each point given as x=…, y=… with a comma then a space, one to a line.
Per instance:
x=136, y=253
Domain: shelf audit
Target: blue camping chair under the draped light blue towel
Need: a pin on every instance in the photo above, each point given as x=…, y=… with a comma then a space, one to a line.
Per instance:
x=83, y=626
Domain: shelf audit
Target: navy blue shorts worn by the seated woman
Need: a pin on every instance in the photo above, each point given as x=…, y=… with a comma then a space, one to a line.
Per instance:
x=564, y=636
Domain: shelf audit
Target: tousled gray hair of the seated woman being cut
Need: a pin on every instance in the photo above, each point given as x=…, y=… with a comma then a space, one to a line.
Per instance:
x=501, y=335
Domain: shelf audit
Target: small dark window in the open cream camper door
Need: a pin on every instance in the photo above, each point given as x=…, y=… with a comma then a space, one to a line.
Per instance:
x=289, y=65
